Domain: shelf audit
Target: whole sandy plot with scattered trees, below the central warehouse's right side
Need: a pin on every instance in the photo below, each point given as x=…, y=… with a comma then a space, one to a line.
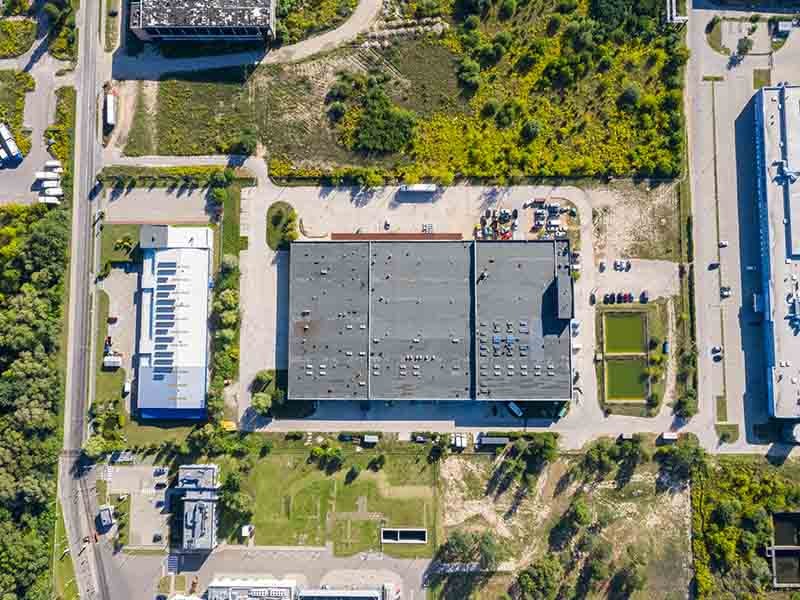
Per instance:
x=609, y=523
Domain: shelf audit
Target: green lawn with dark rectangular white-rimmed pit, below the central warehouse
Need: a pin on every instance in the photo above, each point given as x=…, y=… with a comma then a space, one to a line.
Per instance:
x=313, y=507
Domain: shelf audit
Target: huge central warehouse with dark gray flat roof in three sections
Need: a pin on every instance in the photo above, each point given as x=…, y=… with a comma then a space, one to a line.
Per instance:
x=430, y=320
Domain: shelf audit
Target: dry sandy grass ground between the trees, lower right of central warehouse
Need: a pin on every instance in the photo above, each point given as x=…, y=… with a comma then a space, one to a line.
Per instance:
x=628, y=511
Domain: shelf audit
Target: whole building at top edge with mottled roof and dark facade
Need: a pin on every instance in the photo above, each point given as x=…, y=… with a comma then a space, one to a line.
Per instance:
x=197, y=20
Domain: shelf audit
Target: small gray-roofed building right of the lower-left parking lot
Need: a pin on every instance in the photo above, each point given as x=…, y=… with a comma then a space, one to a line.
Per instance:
x=198, y=487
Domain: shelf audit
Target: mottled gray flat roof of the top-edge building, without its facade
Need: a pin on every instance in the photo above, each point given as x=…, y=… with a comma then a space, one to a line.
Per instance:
x=204, y=13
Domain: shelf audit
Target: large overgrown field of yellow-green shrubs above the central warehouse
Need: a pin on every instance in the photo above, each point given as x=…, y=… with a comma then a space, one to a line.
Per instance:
x=540, y=88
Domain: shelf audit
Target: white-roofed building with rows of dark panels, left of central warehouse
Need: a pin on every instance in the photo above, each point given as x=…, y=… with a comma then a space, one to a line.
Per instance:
x=173, y=322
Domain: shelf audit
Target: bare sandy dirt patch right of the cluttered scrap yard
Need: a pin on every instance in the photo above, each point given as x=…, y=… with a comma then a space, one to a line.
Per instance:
x=636, y=222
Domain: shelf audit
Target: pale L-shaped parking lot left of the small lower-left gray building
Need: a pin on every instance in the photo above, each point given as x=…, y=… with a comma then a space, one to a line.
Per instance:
x=149, y=515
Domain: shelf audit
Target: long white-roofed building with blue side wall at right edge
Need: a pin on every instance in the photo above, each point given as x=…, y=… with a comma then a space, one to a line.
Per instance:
x=777, y=118
